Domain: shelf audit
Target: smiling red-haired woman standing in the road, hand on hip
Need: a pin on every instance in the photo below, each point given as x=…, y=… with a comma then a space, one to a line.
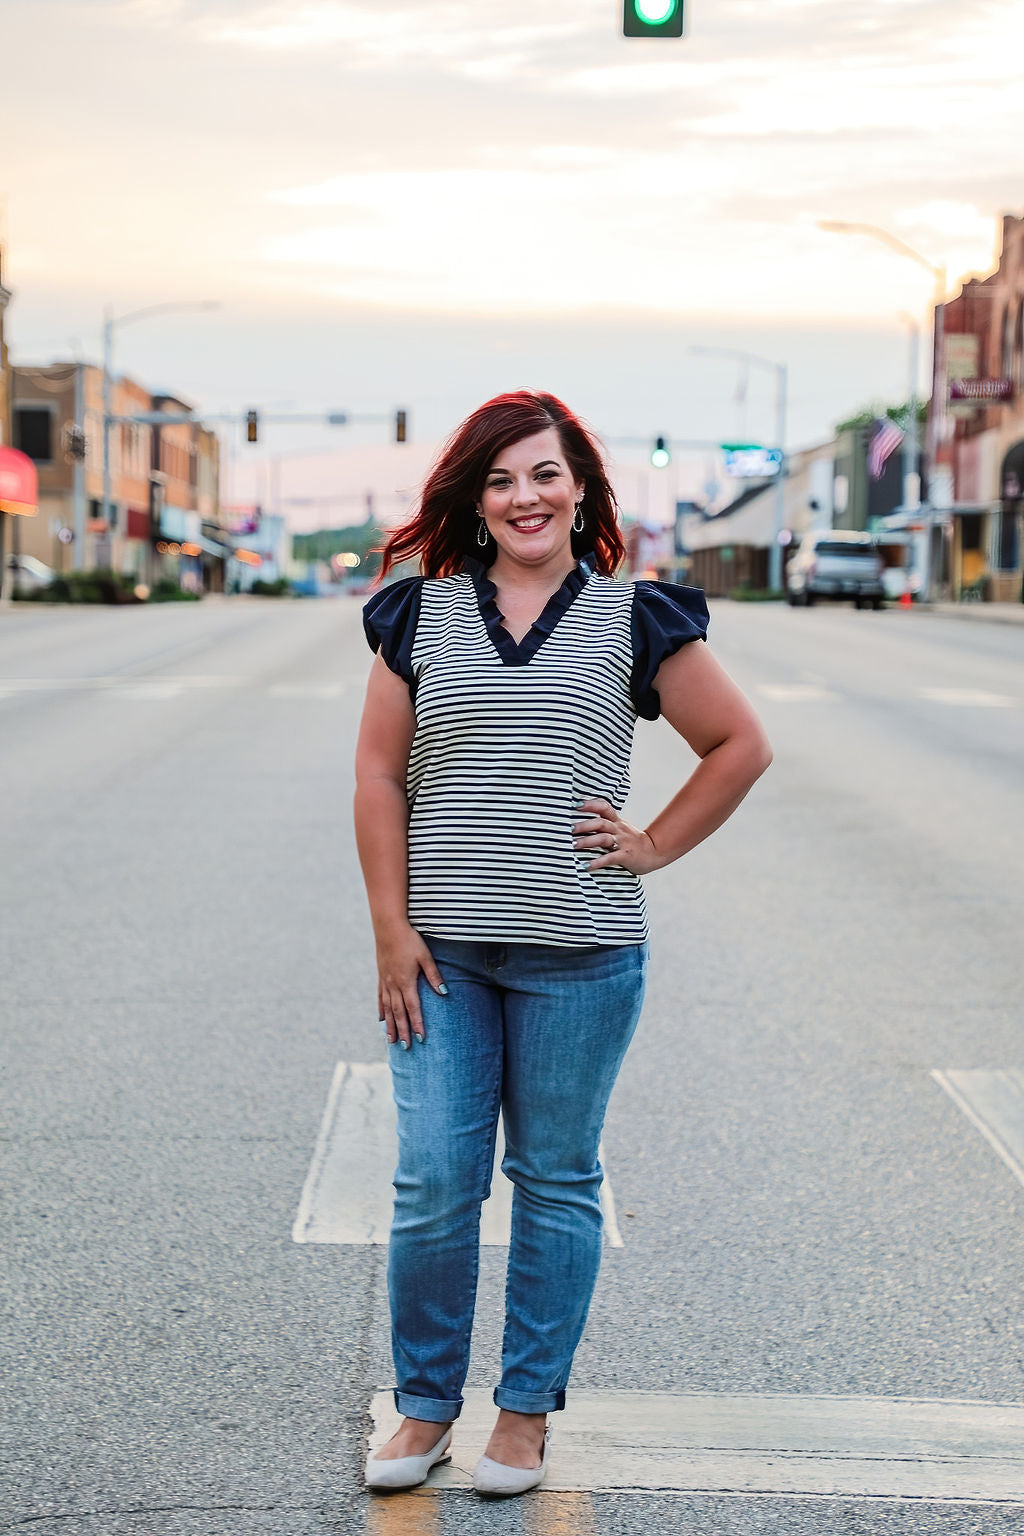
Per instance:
x=504, y=889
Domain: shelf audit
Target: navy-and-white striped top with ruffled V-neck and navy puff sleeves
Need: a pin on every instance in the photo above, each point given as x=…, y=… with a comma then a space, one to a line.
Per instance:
x=512, y=737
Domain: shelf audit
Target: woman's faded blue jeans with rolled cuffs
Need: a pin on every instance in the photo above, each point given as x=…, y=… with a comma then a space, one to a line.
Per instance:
x=540, y=1034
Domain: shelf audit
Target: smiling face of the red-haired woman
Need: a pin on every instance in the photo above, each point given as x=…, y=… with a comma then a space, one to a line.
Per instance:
x=529, y=500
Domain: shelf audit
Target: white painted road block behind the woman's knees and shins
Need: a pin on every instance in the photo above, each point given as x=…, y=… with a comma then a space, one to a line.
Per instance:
x=348, y=1191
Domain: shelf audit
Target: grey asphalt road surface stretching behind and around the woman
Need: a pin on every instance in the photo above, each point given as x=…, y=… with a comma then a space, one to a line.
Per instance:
x=185, y=956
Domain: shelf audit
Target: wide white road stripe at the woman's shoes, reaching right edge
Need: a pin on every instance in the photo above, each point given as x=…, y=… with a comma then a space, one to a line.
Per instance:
x=937, y=1449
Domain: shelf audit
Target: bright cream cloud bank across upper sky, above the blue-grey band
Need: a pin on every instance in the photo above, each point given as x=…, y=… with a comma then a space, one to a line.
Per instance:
x=486, y=157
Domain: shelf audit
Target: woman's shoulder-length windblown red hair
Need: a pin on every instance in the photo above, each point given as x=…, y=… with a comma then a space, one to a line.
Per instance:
x=443, y=529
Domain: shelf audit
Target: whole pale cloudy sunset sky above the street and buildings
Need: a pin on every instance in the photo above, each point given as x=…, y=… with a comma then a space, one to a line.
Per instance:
x=424, y=204
